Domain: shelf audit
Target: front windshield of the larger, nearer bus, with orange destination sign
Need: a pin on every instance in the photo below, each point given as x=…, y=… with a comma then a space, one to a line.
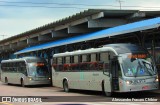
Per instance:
x=136, y=65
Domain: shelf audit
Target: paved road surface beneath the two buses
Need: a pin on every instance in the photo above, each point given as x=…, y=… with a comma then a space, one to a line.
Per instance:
x=52, y=95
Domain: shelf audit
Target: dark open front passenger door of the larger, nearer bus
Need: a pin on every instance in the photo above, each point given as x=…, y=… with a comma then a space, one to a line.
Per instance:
x=114, y=73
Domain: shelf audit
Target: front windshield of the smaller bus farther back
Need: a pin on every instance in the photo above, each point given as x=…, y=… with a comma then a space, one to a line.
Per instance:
x=38, y=69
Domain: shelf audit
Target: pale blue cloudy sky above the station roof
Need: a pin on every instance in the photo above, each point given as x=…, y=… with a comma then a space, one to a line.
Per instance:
x=18, y=16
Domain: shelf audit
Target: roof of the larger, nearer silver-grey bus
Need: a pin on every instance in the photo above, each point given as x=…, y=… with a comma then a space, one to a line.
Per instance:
x=116, y=48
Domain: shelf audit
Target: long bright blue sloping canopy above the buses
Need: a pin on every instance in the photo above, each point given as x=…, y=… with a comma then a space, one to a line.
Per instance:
x=118, y=30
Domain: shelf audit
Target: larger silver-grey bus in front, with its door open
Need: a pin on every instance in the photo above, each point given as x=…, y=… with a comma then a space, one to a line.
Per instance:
x=112, y=68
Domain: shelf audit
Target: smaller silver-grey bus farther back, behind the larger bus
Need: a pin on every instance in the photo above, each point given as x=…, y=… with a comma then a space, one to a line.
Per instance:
x=25, y=71
